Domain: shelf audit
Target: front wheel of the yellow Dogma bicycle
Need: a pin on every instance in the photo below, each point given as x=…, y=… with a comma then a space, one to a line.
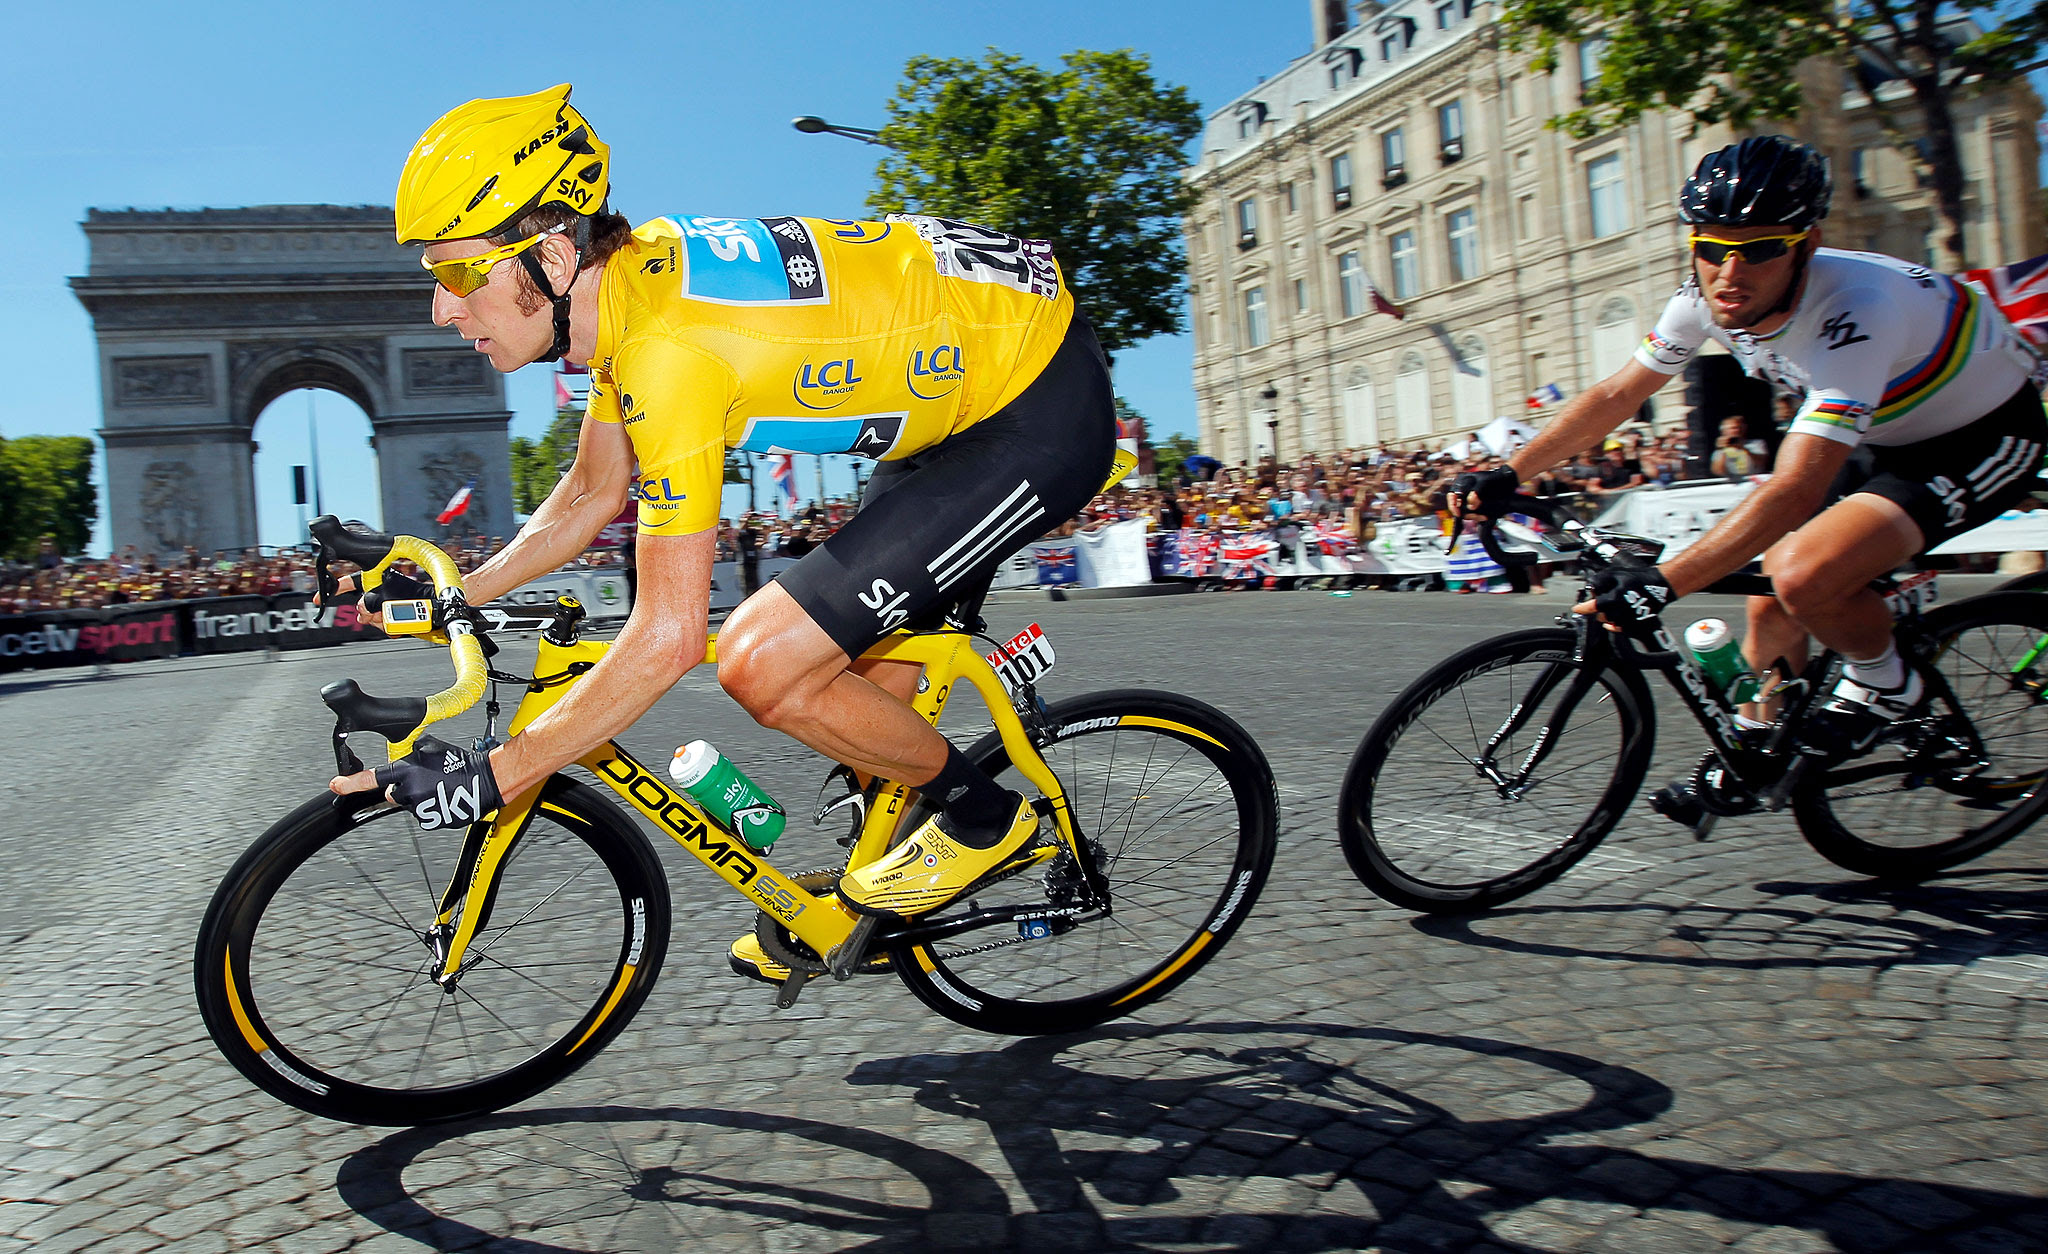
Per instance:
x=310, y=995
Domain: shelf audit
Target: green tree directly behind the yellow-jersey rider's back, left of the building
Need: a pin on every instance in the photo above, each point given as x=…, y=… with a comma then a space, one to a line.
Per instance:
x=1086, y=157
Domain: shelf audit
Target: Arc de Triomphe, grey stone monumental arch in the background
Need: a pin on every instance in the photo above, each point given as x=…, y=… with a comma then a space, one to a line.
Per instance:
x=206, y=317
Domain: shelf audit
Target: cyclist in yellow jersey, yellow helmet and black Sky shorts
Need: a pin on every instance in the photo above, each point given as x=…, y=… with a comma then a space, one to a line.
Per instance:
x=947, y=351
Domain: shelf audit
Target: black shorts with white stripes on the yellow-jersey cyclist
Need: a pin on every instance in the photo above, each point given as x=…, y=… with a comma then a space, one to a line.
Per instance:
x=935, y=526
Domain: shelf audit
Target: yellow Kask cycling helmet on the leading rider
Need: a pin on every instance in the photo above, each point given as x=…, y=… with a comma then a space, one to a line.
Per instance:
x=490, y=161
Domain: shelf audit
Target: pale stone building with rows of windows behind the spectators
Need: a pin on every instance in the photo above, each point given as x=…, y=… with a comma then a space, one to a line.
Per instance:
x=1408, y=155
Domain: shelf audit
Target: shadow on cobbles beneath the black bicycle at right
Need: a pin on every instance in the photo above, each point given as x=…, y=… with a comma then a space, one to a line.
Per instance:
x=1859, y=925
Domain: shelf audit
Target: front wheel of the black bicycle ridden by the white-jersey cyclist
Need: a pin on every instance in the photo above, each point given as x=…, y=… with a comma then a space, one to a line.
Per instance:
x=1414, y=835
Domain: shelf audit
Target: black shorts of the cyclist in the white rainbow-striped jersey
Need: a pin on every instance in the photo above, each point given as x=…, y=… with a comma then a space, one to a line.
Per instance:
x=1961, y=480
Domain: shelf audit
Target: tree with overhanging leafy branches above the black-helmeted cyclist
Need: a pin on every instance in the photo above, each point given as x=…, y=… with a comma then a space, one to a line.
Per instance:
x=1740, y=62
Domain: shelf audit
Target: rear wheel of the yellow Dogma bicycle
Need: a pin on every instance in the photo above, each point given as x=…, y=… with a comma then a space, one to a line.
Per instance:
x=1115, y=755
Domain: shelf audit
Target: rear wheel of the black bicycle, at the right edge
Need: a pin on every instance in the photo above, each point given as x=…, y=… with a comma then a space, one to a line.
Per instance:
x=1891, y=814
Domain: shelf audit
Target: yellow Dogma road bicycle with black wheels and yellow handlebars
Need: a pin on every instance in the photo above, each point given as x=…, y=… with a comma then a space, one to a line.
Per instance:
x=366, y=970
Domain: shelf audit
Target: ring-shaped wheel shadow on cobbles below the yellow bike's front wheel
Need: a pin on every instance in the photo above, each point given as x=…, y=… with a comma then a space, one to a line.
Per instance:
x=609, y=1194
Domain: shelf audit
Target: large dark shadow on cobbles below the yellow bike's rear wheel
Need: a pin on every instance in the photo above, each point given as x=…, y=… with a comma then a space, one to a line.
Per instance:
x=1426, y=1177
